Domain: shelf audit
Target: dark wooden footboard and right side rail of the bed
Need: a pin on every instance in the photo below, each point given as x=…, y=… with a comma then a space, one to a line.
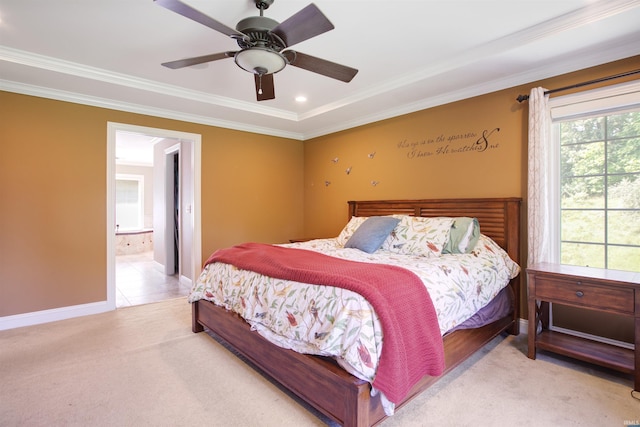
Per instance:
x=320, y=381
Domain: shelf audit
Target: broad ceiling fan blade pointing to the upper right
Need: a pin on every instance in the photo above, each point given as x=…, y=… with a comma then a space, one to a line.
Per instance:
x=307, y=23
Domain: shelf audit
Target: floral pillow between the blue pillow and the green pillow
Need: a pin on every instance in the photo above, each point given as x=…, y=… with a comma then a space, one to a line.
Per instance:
x=419, y=235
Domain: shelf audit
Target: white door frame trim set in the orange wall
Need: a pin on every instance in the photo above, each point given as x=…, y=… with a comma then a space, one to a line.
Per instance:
x=195, y=202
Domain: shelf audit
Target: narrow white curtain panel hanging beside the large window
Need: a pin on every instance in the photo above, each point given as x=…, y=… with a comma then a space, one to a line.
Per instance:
x=539, y=193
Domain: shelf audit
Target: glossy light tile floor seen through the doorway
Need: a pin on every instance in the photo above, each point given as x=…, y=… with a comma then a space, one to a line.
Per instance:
x=140, y=280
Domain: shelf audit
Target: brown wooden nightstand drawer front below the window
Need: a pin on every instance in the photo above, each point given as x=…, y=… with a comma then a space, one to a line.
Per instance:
x=583, y=293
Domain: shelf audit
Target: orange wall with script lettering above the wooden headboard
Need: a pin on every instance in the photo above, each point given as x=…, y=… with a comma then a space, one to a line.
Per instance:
x=463, y=149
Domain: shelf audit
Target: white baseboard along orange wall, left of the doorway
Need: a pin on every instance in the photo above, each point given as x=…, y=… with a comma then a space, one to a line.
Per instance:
x=52, y=315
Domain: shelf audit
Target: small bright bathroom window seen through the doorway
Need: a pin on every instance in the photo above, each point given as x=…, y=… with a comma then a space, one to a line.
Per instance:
x=129, y=202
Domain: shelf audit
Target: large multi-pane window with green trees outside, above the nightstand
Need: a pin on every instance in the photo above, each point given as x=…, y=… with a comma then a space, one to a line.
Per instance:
x=597, y=135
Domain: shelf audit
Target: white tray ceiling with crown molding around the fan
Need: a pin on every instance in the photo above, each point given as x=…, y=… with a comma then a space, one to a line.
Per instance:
x=410, y=55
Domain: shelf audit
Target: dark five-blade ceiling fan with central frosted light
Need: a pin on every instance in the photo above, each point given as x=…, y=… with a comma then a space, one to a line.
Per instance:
x=262, y=43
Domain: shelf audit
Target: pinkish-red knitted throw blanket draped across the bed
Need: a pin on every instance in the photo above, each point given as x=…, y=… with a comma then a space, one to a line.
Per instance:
x=412, y=344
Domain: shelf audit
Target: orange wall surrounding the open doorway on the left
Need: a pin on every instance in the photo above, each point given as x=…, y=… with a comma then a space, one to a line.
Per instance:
x=53, y=196
